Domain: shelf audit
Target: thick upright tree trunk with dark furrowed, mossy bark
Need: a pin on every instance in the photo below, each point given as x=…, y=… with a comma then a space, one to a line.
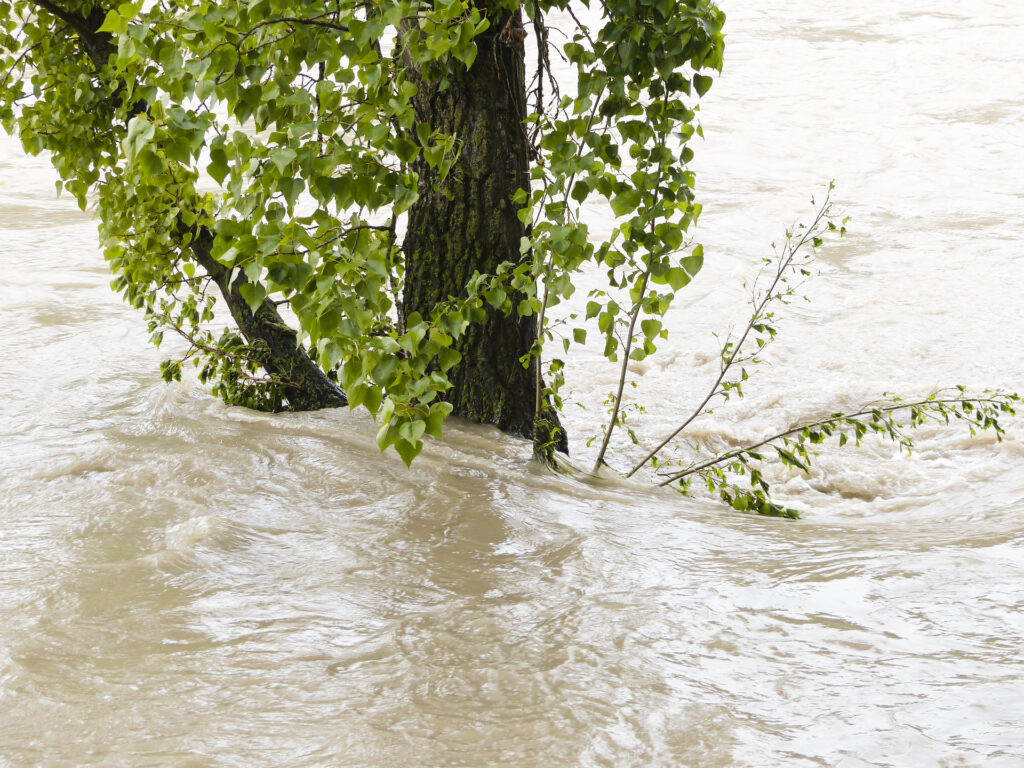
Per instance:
x=468, y=223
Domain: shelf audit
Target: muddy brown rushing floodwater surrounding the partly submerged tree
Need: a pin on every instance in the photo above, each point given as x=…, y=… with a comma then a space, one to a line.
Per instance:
x=185, y=584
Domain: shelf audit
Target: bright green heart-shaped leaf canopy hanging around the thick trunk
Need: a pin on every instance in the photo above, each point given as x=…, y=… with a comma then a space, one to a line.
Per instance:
x=285, y=134
